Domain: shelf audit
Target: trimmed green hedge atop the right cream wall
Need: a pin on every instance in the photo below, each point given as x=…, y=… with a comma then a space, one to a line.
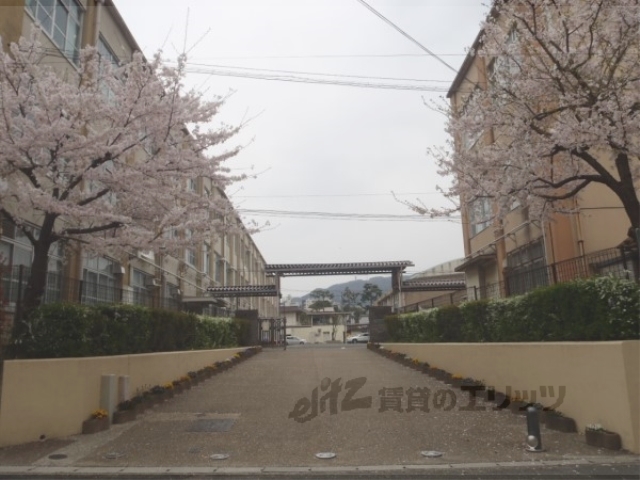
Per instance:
x=596, y=309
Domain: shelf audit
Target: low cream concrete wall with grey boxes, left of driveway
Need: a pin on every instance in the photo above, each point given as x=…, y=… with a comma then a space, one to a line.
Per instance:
x=53, y=397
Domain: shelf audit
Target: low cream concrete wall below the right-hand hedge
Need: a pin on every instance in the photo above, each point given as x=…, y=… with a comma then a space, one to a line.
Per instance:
x=601, y=380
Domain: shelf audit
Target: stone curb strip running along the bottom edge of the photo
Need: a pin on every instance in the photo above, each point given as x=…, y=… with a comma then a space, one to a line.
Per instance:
x=194, y=472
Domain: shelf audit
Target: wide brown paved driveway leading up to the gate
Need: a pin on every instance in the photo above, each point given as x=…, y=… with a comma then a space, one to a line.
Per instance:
x=247, y=413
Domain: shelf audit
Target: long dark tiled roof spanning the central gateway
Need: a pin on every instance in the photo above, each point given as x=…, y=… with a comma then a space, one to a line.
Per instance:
x=336, y=268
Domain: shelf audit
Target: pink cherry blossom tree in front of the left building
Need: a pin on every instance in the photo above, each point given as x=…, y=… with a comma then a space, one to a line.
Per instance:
x=102, y=156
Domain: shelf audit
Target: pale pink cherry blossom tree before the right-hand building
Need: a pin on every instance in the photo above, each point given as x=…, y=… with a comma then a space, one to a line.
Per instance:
x=559, y=111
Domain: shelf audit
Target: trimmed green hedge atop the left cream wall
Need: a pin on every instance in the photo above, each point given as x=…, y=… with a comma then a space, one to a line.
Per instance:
x=64, y=330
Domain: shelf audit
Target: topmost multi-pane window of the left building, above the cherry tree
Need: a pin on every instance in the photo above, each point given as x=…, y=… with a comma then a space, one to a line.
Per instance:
x=61, y=21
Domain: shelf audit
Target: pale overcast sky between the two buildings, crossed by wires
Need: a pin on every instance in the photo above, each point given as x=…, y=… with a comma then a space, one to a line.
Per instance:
x=323, y=147
